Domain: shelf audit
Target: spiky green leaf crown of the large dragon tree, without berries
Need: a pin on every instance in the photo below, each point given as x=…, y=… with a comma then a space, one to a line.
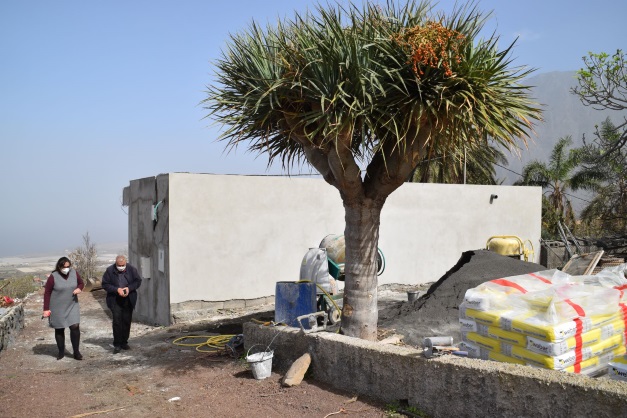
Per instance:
x=337, y=77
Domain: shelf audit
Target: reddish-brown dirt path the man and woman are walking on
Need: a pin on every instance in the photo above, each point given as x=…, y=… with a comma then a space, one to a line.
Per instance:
x=155, y=378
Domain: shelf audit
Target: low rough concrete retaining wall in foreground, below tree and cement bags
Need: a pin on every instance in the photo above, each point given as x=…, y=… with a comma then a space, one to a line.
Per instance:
x=448, y=386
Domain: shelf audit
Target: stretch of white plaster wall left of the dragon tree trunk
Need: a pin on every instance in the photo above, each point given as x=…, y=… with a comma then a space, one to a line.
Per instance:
x=234, y=237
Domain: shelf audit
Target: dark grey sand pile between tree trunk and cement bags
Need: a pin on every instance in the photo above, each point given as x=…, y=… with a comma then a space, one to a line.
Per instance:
x=437, y=312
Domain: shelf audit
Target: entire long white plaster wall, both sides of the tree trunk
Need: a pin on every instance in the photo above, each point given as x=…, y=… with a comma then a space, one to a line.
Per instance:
x=234, y=237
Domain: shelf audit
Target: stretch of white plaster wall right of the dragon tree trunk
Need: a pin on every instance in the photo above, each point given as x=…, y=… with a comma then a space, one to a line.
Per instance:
x=425, y=227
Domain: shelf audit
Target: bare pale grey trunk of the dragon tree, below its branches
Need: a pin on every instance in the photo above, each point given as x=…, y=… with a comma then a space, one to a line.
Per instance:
x=360, y=314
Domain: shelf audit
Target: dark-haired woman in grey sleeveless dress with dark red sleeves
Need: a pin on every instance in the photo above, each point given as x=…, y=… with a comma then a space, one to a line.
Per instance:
x=61, y=305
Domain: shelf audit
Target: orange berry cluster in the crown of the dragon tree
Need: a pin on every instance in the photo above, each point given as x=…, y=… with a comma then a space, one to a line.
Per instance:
x=431, y=45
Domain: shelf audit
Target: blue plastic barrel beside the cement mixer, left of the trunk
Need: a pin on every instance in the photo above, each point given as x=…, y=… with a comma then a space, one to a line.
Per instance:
x=293, y=299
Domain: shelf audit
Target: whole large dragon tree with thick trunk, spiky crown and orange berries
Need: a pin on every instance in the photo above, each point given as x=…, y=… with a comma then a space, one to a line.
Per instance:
x=346, y=87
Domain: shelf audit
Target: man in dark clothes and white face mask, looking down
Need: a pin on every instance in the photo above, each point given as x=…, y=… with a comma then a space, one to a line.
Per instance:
x=121, y=281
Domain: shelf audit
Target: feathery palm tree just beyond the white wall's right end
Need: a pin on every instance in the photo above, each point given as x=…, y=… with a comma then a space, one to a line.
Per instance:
x=557, y=177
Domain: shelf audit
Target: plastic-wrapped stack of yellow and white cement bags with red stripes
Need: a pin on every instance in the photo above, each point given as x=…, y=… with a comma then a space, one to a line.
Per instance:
x=547, y=319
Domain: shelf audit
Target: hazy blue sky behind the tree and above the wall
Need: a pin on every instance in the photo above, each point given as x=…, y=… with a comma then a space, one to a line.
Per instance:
x=94, y=94
